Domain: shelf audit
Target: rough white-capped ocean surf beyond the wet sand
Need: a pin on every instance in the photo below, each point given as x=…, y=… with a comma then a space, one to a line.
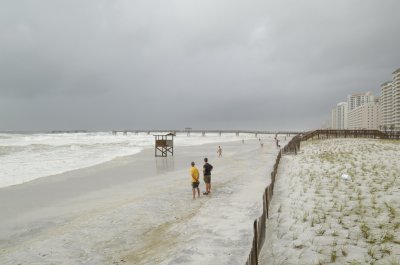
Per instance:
x=28, y=156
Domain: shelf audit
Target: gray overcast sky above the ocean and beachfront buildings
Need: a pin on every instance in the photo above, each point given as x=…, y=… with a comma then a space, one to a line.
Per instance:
x=206, y=64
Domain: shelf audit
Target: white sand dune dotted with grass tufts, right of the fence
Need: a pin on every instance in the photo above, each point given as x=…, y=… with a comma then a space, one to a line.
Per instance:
x=336, y=202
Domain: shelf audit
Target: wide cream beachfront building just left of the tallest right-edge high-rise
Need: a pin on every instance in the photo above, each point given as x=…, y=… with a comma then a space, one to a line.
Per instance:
x=366, y=116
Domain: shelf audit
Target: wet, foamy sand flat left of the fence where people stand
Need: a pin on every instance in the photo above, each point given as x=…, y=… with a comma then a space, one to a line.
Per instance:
x=139, y=210
